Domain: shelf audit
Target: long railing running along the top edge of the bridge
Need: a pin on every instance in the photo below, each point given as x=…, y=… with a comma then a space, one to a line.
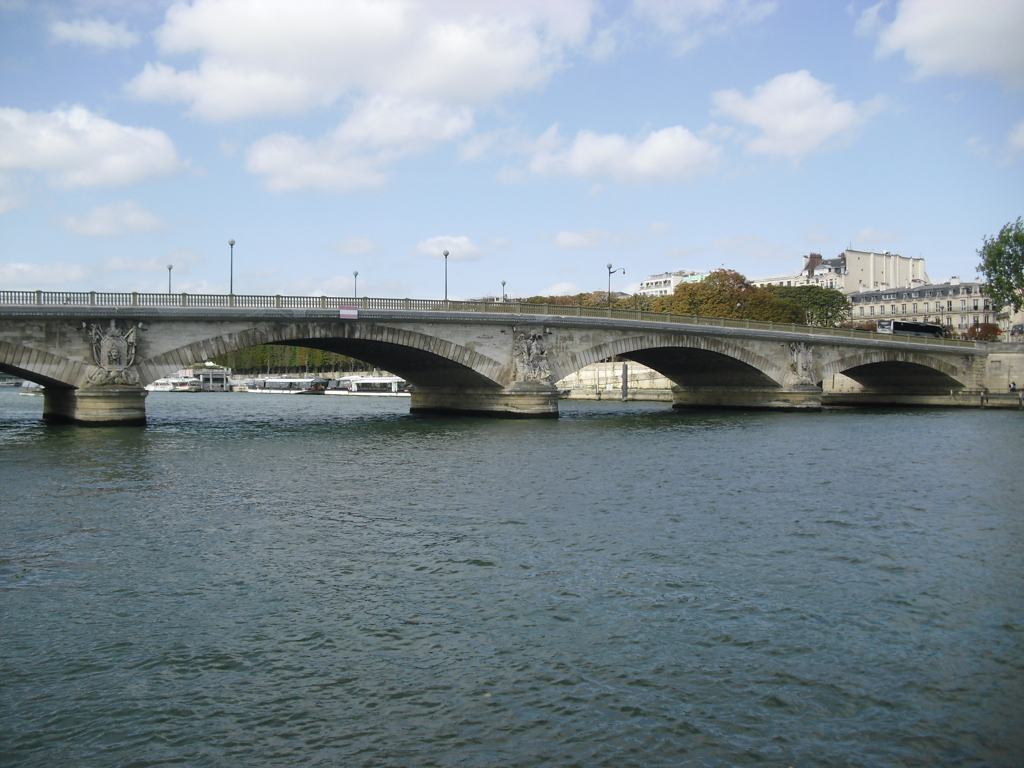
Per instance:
x=239, y=302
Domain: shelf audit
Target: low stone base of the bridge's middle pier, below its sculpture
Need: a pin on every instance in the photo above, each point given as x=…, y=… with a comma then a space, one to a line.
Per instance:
x=523, y=400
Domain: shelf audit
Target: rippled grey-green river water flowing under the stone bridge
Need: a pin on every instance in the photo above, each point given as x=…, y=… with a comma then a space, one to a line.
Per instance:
x=331, y=582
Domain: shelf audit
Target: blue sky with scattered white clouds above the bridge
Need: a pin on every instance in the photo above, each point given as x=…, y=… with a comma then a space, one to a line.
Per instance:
x=535, y=141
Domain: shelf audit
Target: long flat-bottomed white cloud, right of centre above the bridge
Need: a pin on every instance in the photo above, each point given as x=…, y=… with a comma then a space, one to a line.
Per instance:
x=668, y=155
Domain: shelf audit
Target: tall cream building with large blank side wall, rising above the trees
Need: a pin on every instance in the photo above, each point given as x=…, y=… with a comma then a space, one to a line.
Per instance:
x=856, y=271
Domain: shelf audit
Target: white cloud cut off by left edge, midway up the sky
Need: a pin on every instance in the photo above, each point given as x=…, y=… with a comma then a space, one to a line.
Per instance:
x=78, y=149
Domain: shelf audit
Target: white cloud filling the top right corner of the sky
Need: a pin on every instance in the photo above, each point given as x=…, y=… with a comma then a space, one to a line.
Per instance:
x=953, y=37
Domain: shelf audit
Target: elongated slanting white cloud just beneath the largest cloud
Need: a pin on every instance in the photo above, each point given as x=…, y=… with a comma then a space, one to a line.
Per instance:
x=355, y=155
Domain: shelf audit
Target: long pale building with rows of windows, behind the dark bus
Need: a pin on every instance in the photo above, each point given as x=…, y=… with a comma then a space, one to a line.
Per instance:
x=956, y=304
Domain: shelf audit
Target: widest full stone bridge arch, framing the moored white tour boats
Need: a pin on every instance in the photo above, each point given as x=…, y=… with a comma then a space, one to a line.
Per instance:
x=420, y=359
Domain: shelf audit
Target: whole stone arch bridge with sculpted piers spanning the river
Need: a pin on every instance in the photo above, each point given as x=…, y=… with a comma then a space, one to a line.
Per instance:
x=490, y=359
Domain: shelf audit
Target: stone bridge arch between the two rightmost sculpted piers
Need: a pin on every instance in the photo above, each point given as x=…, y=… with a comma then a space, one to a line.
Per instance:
x=689, y=361
